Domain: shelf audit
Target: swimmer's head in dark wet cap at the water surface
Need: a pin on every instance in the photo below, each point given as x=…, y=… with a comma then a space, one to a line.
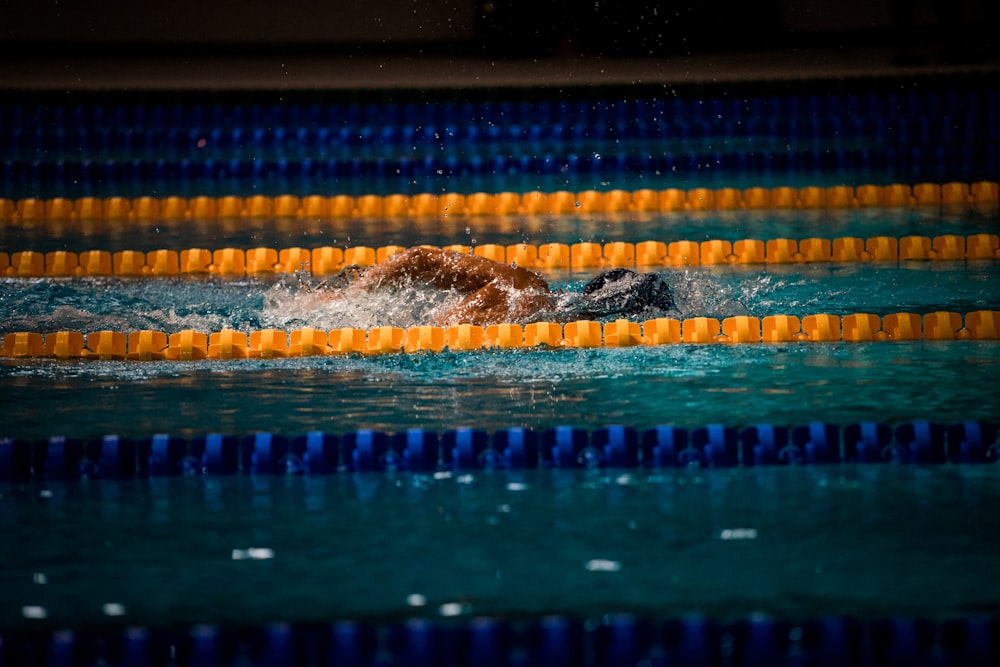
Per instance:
x=624, y=292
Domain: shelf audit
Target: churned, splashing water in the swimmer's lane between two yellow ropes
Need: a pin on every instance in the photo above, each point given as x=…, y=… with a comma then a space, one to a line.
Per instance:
x=290, y=302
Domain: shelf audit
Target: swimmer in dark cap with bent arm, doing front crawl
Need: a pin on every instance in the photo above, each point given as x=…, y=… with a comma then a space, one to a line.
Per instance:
x=496, y=292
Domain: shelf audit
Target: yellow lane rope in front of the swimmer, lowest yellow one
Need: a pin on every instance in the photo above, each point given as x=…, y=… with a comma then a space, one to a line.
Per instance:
x=190, y=345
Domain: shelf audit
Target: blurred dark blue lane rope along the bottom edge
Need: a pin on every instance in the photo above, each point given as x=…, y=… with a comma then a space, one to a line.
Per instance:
x=550, y=641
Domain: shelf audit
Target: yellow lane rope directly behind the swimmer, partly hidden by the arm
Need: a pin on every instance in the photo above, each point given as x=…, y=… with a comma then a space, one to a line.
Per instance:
x=328, y=260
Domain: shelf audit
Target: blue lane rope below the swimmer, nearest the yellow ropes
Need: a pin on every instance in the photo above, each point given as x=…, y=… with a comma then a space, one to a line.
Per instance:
x=464, y=449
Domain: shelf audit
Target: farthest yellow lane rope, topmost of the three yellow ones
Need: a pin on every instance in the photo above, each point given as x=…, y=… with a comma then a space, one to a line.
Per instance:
x=150, y=209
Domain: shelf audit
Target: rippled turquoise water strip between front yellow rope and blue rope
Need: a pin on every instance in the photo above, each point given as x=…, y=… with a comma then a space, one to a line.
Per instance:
x=682, y=385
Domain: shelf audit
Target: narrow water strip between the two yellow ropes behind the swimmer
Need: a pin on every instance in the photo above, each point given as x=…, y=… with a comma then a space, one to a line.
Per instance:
x=79, y=236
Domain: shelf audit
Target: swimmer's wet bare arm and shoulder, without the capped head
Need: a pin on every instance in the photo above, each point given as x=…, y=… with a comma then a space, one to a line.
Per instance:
x=496, y=292
